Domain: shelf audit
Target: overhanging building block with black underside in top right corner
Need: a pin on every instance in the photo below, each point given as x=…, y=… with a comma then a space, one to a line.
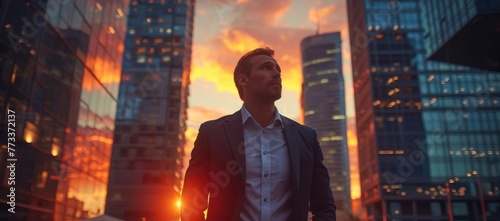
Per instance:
x=463, y=32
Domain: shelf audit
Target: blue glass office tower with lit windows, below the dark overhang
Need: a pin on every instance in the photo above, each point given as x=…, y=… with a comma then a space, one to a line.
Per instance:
x=425, y=128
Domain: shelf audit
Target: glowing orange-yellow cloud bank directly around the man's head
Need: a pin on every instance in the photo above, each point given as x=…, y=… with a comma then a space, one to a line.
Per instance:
x=233, y=43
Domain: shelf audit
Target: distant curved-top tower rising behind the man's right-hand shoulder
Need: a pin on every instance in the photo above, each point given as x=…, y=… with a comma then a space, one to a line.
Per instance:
x=323, y=103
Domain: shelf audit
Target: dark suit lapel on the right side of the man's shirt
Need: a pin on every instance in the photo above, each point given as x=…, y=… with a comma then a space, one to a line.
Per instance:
x=292, y=141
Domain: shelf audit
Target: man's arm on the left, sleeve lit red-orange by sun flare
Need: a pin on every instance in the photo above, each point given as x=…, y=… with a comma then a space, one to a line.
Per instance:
x=194, y=196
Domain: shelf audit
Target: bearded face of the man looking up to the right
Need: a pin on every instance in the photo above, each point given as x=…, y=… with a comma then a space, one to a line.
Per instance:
x=264, y=82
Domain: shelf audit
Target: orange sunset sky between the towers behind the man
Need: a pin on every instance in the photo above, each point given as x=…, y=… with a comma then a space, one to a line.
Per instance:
x=226, y=29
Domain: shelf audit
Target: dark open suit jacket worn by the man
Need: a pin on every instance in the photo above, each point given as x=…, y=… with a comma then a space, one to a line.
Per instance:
x=217, y=166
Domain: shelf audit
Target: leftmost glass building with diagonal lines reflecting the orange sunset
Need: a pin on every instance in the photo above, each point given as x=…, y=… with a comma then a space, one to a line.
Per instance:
x=60, y=67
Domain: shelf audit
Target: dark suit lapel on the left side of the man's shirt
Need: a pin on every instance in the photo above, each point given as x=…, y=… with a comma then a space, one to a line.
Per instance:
x=233, y=128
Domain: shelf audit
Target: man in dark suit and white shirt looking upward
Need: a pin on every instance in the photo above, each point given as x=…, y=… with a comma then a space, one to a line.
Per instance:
x=257, y=164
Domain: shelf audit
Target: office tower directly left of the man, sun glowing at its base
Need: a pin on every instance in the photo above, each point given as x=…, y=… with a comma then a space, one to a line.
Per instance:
x=148, y=149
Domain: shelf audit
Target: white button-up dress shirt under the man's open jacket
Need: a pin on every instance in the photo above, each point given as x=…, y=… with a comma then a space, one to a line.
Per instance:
x=268, y=190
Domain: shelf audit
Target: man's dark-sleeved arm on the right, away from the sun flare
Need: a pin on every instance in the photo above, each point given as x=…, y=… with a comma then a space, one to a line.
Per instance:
x=322, y=205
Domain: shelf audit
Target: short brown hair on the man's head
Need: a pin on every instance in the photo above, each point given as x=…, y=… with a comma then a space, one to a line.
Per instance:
x=243, y=66
